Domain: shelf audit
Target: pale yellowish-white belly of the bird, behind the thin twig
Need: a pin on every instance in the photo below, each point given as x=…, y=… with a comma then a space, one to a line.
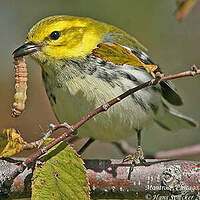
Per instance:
x=79, y=96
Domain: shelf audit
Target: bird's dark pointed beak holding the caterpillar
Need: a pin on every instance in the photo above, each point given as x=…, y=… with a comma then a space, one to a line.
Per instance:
x=26, y=49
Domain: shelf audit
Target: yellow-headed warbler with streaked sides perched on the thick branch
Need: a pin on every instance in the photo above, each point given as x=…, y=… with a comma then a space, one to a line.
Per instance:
x=85, y=63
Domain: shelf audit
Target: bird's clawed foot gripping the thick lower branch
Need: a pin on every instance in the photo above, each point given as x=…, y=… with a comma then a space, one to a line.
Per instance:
x=137, y=157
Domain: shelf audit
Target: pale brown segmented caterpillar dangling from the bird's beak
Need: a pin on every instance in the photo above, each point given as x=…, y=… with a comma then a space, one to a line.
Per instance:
x=20, y=86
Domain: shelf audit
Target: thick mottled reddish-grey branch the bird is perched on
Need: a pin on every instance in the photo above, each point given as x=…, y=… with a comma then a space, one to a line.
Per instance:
x=108, y=179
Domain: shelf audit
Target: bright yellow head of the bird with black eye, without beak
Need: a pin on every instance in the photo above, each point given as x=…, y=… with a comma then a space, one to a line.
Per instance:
x=66, y=36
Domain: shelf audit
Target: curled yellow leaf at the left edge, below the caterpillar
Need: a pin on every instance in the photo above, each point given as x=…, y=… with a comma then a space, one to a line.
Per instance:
x=10, y=143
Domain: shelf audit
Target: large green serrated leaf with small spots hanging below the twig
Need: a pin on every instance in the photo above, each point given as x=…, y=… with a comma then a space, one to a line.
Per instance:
x=61, y=176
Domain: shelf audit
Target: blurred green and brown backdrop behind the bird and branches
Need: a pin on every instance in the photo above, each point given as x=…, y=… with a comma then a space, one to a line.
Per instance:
x=175, y=46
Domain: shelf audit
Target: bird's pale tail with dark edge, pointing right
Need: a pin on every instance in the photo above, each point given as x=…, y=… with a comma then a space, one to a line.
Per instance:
x=171, y=120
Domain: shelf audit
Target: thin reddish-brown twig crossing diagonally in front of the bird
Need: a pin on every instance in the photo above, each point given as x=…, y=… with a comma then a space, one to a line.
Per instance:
x=105, y=107
